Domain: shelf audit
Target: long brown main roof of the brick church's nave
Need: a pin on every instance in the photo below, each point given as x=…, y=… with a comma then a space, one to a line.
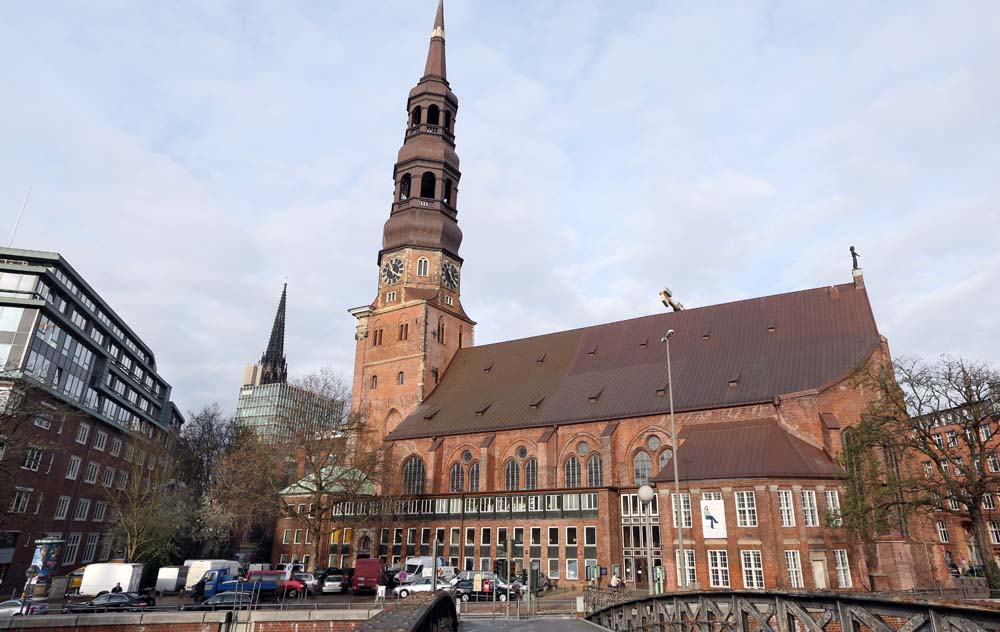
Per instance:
x=724, y=355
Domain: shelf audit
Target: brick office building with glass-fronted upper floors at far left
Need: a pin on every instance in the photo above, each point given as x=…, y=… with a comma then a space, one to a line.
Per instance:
x=91, y=382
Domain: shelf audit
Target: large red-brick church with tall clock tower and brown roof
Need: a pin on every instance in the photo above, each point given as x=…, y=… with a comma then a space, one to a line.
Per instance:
x=532, y=451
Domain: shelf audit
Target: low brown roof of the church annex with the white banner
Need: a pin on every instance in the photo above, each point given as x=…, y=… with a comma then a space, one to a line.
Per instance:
x=758, y=448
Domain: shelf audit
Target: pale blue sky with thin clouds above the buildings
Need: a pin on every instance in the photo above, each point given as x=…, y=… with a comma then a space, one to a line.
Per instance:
x=187, y=158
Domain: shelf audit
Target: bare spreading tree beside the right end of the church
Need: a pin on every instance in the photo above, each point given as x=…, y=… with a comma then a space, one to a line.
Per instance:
x=926, y=444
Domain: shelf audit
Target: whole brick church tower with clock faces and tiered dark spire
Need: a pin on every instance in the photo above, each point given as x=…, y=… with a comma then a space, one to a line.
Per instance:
x=408, y=335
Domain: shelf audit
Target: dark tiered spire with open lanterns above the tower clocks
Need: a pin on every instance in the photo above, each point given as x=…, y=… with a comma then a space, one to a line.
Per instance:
x=425, y=208
